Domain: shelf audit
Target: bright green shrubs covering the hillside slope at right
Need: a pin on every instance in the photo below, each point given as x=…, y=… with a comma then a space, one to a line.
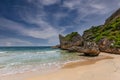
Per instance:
x=110, y=31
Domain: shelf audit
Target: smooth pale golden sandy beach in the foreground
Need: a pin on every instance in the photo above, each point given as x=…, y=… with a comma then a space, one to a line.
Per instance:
x=107, y=68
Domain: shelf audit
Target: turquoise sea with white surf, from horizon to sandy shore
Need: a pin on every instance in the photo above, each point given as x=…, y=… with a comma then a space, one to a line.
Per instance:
x=21, y=59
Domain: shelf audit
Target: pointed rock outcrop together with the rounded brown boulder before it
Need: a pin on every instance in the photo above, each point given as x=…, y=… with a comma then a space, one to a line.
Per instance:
x=76, y=44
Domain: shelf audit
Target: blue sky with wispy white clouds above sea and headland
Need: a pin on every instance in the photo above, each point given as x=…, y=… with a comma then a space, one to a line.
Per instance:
x=39, y=22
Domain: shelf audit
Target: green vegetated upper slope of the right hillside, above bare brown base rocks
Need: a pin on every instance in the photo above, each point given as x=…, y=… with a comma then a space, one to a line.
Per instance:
x=110, y=30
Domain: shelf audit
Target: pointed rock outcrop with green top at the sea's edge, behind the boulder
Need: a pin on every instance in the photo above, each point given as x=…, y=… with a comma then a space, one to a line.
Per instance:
x=73, y=39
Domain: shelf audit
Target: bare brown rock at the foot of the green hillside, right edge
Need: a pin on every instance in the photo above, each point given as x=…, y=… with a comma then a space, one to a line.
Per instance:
x=105, y=45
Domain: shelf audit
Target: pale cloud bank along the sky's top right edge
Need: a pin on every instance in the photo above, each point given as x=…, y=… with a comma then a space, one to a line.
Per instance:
x=91, y=6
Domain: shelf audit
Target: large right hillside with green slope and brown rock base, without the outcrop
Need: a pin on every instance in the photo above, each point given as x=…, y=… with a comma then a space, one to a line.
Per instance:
x=107, y=36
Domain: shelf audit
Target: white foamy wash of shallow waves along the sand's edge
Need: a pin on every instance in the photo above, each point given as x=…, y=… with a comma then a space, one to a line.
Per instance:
x=45, y=67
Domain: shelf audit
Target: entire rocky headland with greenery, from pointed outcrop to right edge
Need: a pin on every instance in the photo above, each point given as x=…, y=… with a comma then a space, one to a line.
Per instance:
x=105, y=38
